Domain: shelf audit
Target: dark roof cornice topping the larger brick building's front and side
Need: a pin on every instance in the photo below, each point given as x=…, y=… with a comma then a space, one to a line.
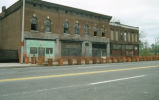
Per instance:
x=13, y=8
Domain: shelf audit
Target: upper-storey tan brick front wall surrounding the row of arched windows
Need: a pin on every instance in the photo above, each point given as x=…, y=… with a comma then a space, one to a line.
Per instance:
x=58, y=17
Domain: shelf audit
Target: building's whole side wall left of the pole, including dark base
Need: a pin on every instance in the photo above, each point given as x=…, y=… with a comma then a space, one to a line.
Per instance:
x=10, y=35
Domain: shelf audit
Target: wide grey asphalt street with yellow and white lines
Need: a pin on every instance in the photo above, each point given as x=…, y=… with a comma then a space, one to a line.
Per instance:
x=117, y=81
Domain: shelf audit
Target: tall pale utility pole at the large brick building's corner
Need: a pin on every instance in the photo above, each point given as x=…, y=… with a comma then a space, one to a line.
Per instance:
x=22, y=34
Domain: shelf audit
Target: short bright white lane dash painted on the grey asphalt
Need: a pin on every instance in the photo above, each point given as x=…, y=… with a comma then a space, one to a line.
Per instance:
x=115, y=80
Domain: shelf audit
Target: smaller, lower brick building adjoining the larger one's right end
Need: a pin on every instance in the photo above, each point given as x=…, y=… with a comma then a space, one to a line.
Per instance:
x=124, y=40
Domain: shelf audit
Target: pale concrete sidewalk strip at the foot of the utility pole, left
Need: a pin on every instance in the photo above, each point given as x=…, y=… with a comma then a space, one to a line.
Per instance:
x=7, y=65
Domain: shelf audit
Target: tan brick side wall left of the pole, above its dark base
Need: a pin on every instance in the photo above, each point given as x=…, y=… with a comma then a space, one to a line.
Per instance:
x=10, y=31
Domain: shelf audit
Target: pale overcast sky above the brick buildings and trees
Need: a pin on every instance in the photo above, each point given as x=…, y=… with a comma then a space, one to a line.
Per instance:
x=141, y=13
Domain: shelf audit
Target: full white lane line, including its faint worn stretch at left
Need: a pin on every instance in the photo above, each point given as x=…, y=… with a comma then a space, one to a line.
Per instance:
x=73, y=86
